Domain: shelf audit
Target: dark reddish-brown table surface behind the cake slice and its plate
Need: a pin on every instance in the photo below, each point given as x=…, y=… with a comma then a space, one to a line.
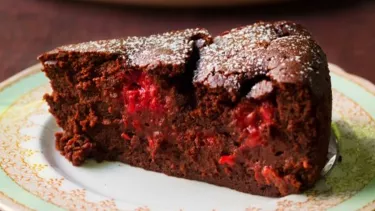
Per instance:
x=344, y=29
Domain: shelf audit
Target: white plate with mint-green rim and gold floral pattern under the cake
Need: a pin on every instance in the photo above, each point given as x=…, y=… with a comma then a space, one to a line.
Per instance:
x=33, y=176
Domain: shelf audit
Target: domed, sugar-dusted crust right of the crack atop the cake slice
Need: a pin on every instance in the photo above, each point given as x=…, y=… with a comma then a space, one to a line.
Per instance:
x=282, y=52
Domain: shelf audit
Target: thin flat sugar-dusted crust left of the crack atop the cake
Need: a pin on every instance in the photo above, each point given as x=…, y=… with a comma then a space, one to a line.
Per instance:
x=170, y=48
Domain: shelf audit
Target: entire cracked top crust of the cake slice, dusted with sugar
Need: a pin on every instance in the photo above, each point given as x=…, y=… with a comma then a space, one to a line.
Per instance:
x=281, y=52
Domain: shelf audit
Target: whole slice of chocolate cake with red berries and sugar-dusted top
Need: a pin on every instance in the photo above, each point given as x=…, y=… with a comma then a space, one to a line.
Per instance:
x=249, y=109
